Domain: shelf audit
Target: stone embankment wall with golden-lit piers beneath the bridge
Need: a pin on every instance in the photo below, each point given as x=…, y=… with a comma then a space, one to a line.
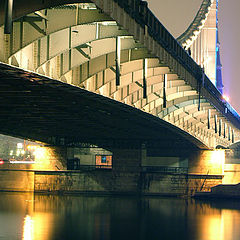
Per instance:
x=127, y=176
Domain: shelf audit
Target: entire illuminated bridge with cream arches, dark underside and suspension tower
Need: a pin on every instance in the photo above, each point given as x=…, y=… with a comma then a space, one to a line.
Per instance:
x=107, y=72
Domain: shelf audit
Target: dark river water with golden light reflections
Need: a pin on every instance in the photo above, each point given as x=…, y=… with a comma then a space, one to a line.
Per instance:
x=42, y=217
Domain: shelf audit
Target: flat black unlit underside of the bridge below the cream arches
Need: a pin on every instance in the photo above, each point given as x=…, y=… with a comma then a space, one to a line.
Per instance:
x=53, y=112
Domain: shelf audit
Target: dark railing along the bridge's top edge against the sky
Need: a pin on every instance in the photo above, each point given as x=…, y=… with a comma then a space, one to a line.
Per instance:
x=140, y=12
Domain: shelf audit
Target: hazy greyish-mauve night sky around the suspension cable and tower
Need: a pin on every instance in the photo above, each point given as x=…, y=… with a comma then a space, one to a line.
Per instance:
x=176, y=15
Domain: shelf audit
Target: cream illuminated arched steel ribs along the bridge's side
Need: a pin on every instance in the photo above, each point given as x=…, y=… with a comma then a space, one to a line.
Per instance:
x=81, y=45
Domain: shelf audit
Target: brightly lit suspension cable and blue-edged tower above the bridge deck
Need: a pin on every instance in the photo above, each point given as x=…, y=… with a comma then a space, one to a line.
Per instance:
x=201, y=39
